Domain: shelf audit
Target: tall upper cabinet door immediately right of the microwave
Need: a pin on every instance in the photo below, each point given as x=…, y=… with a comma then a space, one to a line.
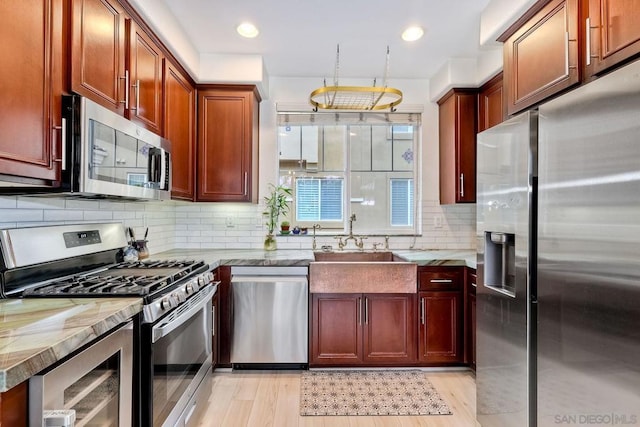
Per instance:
x=179, y=129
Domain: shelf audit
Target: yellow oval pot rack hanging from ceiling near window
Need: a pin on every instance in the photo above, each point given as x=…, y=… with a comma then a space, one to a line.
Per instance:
x=360, y=98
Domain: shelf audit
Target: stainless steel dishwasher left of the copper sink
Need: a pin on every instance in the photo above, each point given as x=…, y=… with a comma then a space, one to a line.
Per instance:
x=270, y=307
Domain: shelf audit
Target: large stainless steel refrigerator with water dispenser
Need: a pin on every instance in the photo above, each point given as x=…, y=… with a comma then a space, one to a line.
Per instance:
x=558, y=229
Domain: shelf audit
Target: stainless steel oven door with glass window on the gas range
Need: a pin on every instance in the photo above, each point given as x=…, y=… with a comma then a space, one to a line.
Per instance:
x=178, y=362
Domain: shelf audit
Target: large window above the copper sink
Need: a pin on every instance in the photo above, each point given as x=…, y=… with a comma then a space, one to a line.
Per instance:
x=340, y=164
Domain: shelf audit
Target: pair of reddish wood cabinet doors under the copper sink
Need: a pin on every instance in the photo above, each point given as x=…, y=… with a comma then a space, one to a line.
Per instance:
x=362, y=329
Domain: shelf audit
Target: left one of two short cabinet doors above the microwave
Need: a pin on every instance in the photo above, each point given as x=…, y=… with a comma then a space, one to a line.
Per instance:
x=98, y=46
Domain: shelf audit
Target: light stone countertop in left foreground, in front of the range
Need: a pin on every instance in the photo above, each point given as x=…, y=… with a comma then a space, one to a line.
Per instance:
x=35, y=333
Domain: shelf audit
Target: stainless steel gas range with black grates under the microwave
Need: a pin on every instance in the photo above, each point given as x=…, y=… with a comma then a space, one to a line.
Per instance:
x=172, y=337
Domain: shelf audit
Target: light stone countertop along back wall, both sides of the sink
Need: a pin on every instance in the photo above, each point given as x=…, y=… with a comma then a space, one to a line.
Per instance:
x=289, y=257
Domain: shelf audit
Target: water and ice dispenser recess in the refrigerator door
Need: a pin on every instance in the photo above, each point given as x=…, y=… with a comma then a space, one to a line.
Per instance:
x=500, y=262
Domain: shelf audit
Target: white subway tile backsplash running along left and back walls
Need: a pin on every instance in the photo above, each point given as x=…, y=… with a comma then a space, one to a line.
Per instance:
x=182, y=225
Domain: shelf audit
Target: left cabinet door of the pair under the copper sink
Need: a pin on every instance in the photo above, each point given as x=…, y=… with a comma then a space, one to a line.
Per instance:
x=336, y=329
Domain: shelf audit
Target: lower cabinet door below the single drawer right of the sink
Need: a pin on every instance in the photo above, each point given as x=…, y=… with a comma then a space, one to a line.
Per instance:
x=441, y=327
